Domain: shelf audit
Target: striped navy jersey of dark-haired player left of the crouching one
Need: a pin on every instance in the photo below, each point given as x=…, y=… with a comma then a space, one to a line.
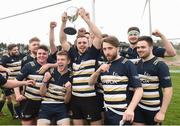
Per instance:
x=30, y=72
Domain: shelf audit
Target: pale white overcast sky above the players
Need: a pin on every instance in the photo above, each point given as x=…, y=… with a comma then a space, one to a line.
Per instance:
x=113, y=17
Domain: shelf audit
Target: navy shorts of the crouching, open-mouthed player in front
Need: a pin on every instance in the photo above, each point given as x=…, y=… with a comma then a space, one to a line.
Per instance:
x=51, y=111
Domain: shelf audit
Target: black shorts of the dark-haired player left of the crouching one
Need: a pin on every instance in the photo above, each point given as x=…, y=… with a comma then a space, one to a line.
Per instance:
x=30, y=109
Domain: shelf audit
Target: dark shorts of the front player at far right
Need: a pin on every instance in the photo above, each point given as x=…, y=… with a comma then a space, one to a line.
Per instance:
x=144, y=116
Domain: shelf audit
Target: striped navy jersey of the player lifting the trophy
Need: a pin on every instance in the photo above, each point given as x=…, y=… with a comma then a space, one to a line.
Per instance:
x=83, y=66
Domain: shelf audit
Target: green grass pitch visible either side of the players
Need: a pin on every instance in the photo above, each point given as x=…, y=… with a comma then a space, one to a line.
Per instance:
x=172, y=116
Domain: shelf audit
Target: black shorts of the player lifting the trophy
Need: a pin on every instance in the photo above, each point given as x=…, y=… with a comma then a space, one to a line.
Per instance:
x=85, y=108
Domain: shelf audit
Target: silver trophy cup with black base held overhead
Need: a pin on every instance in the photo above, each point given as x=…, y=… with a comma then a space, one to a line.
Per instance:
x=72, y=14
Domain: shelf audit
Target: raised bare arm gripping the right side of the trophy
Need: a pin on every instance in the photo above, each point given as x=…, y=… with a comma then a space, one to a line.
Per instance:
x=96, y=32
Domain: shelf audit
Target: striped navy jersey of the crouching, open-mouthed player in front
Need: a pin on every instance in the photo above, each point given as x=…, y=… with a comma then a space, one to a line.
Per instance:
x=56, y=90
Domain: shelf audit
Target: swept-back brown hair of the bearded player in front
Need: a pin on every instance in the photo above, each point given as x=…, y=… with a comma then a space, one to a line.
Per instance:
x=111, y=40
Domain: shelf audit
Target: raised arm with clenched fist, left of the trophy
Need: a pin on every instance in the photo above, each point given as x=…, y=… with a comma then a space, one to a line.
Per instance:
x=53, y=47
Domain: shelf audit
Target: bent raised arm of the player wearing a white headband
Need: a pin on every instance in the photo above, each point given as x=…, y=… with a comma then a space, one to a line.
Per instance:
x=170, y=51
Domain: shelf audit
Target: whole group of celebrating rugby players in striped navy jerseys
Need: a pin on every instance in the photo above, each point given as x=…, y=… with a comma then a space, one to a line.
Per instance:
x=92, y=81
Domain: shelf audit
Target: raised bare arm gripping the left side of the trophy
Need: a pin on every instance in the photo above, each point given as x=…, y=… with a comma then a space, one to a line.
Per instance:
x=63, y=37
